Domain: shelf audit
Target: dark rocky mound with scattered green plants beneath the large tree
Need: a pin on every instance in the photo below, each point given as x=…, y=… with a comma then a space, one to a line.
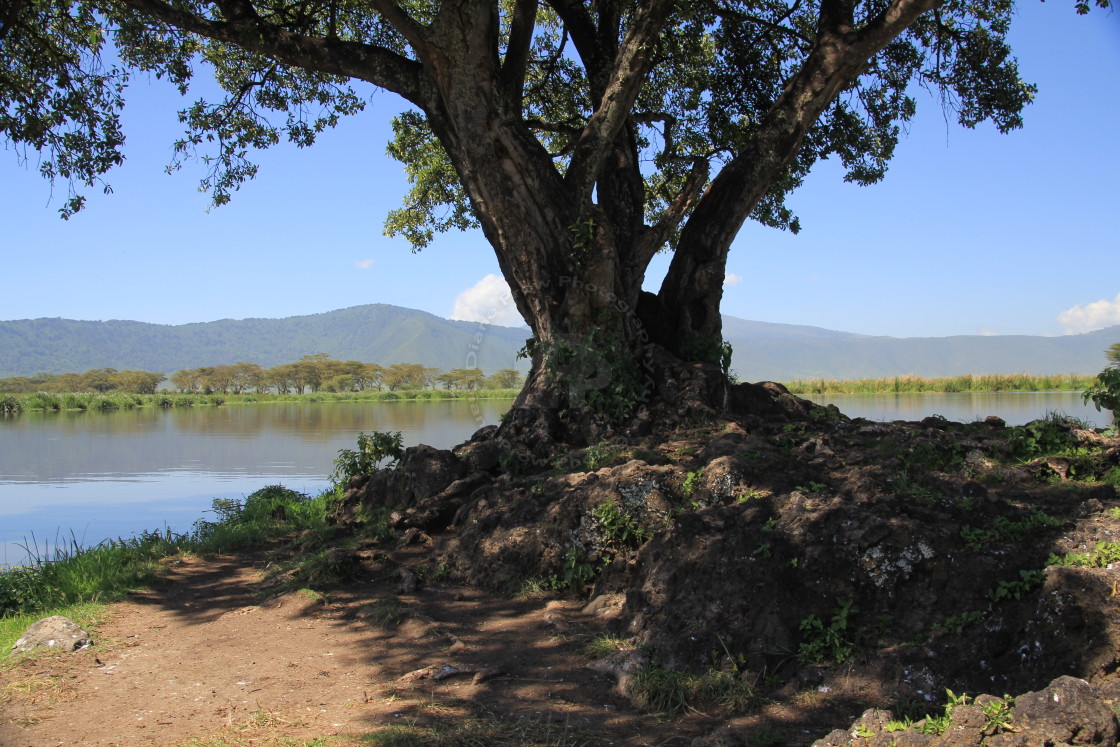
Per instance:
x=792, y=550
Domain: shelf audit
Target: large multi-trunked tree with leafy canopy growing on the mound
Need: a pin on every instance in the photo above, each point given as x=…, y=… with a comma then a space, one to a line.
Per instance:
x=583, y=138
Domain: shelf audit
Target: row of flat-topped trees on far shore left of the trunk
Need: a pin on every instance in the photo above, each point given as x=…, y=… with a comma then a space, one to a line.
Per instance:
x=312, y=373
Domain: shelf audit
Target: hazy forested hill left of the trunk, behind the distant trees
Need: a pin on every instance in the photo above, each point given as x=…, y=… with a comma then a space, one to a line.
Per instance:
x=372, y=334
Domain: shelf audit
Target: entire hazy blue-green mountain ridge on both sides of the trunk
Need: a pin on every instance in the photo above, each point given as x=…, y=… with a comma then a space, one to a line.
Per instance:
x=380, y=333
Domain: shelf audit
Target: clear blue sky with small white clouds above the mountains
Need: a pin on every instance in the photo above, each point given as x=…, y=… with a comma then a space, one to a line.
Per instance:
x=970, y=234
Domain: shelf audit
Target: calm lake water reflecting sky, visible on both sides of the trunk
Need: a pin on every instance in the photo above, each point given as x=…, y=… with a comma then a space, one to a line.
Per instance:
x=92, y=477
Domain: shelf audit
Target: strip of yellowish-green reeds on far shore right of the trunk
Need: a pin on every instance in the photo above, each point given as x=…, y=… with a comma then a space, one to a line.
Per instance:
x=966, y=384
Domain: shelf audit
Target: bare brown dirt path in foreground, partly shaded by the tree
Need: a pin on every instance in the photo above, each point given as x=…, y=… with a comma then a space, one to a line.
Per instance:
x=202, y=660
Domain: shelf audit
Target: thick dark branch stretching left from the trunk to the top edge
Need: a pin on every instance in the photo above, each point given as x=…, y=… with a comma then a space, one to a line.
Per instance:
x=377, y=66
